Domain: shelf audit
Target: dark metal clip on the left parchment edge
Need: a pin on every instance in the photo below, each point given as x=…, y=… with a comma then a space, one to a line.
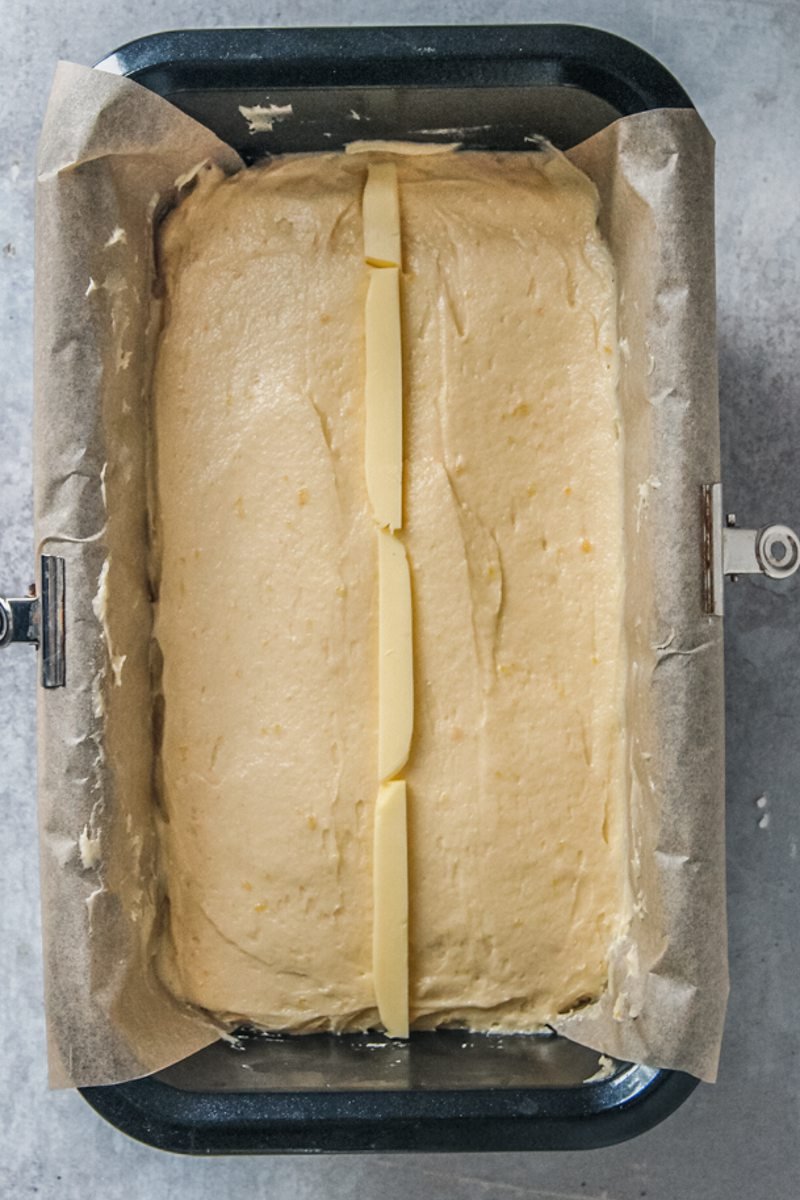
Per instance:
x=39, y=621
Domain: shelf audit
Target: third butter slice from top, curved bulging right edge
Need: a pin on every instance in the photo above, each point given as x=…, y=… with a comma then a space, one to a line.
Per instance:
x=395, y=657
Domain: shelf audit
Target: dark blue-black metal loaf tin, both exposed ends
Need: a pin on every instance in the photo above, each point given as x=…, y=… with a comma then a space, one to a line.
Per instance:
x=489, y=88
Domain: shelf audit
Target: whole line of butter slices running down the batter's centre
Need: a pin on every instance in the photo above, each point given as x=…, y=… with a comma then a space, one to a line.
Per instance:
x=384, y=481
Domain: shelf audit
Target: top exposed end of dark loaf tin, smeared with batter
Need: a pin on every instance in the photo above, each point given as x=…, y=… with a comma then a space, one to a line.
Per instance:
x=495, y=86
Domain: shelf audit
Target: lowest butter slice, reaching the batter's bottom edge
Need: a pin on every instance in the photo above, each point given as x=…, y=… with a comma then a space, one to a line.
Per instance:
x=390, y=909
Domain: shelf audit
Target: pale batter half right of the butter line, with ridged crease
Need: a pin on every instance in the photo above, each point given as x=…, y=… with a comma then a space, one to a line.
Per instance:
x=515, y=537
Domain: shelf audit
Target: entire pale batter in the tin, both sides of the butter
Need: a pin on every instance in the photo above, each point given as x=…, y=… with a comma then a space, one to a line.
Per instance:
x=267, y=607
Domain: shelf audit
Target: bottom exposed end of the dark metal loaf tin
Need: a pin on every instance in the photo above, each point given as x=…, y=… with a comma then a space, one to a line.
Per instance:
x=444, y=1091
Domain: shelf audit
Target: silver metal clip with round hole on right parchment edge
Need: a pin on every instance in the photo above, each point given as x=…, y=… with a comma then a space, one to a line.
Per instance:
x=727, y=550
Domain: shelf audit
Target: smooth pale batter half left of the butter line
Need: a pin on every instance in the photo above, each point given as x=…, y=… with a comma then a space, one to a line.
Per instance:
x=268, y=599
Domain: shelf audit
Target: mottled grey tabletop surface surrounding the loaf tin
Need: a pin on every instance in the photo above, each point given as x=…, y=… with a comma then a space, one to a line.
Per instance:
x=741, y=63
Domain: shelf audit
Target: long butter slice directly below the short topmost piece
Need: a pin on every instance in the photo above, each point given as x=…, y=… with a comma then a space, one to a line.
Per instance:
x=384, y=398
